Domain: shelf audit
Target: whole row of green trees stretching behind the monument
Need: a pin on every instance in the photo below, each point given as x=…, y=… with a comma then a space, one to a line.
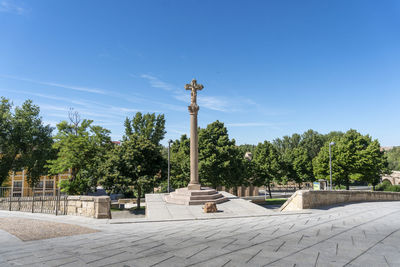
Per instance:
x=139, y=163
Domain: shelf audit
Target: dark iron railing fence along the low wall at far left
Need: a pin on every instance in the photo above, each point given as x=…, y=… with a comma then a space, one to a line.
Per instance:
x=33, y=202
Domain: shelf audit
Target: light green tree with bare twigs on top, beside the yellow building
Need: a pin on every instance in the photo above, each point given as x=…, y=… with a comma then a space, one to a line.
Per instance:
x=81, y=147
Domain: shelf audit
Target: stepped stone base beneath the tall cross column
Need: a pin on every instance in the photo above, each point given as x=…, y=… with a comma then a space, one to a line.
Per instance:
x=185, y=196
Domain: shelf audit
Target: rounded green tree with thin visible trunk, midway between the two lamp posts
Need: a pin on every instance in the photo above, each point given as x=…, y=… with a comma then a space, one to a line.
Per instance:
x=268, y=165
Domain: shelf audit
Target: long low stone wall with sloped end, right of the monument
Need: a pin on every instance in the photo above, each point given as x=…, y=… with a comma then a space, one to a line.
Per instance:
x=310, y=199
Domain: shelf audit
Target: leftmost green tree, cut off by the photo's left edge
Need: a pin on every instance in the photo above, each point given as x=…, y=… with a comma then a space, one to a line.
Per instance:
x=25, y=142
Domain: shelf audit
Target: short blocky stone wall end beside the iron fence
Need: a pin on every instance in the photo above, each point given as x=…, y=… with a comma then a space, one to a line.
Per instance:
x=89, y=206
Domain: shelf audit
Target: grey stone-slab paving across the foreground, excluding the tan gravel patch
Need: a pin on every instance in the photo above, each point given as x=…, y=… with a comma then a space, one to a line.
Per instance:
x=353, y=235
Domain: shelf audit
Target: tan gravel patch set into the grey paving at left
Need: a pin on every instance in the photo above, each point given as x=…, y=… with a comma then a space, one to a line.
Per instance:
x=29, y=229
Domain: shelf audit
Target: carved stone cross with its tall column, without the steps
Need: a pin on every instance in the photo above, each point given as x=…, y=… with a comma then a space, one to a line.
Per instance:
x=194, y=183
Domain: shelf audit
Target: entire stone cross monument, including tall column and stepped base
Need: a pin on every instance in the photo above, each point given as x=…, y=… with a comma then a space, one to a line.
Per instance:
x=194, y=194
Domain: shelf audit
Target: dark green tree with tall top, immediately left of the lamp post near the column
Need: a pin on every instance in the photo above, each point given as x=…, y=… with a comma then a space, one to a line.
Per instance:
x=147, y=166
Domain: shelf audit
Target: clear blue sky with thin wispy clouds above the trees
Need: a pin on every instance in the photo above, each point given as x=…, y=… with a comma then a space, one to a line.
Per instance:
x=269, y=68
